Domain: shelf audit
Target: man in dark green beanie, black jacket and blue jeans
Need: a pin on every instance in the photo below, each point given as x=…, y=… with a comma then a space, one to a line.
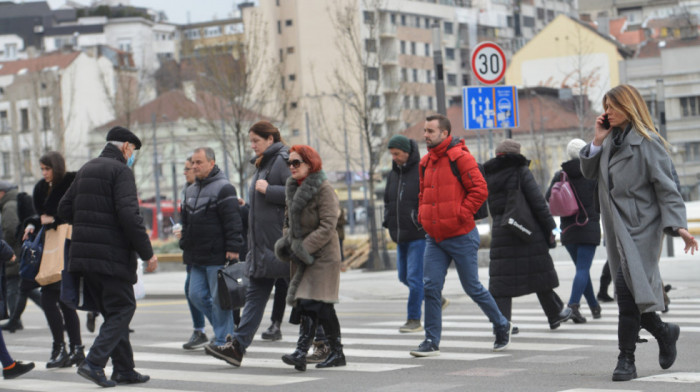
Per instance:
x=401, y=218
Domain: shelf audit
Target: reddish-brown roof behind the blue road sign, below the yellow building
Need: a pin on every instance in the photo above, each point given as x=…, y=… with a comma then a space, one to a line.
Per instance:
x=540, y=109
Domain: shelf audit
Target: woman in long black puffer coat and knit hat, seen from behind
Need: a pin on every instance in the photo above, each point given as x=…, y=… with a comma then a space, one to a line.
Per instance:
x=518, y=267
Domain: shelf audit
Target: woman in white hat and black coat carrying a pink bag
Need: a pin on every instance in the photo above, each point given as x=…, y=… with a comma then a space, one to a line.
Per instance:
x=581, y=232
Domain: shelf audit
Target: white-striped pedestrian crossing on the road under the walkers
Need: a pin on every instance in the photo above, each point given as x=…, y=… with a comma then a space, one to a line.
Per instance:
x=374, y=348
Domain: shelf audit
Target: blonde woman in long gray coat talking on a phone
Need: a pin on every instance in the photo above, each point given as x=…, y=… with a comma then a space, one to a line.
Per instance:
x=639, y=203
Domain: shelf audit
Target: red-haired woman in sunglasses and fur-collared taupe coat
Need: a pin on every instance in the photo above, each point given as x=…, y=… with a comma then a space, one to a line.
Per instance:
x=310, y=244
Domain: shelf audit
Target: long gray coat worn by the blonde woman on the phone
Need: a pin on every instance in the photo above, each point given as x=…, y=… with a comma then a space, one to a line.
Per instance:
x=639, y=202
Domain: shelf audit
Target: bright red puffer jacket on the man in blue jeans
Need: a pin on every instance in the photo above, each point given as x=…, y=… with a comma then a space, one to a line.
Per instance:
x=446, y=209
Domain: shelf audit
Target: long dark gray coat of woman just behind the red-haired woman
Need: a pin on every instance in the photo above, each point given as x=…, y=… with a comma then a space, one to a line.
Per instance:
x=267, y=214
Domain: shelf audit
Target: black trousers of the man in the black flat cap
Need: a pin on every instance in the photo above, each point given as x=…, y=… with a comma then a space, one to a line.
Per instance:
x=116, y=302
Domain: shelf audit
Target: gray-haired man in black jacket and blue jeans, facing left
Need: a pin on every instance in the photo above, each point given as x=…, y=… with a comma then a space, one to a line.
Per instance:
x=211, y=235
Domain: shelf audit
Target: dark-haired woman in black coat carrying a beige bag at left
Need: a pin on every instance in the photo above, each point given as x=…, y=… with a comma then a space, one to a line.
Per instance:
x=47, y=194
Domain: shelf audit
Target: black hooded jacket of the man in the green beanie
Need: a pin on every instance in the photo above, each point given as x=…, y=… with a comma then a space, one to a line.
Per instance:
x=401, y=199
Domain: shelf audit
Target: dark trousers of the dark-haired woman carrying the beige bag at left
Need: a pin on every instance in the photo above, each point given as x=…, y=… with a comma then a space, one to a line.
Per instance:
x=58, y=315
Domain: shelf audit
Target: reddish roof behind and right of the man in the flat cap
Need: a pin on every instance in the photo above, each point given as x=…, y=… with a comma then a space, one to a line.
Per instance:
x=173, y=106
